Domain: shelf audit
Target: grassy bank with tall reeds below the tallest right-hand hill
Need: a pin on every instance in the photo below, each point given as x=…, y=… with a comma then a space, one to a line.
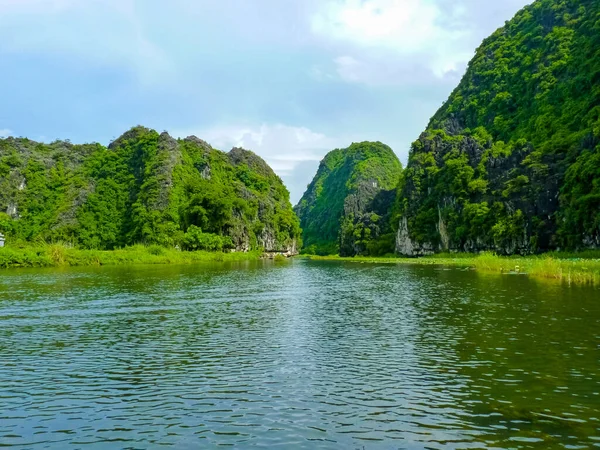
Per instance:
x=583, y=268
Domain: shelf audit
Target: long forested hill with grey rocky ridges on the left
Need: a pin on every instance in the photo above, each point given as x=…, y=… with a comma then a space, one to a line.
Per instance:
x=147, y=188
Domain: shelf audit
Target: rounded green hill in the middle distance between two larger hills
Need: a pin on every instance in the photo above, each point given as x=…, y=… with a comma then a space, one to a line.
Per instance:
x=347, y=205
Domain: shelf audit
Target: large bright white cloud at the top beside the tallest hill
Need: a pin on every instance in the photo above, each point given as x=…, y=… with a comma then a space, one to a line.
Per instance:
x=387, y=42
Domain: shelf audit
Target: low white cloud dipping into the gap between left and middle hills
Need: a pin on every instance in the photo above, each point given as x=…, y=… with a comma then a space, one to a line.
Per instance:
x=293, y=152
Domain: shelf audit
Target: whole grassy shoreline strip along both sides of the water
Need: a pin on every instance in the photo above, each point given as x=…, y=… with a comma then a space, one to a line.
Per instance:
x=566, y=268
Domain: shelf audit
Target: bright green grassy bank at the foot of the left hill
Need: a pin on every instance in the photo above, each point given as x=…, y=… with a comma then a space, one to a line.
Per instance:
x=60, y=255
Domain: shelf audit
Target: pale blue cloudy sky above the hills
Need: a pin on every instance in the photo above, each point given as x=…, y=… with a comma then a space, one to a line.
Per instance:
x=289, y=80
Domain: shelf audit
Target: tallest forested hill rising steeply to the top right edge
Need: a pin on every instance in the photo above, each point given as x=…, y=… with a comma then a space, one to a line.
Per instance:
x=511, y=162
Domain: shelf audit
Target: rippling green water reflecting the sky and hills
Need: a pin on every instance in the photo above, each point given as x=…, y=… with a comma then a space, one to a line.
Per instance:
x=302, y=354
